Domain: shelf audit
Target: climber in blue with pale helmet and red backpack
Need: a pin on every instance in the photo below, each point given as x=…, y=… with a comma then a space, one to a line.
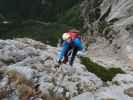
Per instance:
x=72, y=42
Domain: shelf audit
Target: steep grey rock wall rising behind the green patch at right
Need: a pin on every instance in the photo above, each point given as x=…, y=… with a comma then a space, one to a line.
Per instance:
x=110, y=25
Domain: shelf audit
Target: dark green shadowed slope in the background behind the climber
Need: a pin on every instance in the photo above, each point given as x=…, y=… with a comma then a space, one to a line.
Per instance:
x=38, y=19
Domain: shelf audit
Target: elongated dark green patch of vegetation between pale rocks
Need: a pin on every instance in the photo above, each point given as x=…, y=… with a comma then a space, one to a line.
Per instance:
x=100, y=71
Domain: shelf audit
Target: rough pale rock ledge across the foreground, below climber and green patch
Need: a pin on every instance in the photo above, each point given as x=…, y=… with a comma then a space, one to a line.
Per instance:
x=29, y=71
